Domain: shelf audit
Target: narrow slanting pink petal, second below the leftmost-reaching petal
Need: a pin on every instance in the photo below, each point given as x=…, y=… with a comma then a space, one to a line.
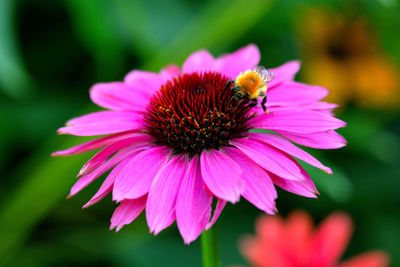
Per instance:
x=89, y=178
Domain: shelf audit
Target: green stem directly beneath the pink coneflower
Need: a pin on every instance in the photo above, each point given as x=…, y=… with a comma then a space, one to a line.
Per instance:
x=210, y=247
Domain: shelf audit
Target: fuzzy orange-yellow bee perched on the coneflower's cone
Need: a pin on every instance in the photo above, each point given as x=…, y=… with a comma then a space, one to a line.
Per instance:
x=251, y=85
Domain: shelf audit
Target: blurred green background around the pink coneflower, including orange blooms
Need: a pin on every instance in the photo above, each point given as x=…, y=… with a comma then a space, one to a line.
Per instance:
x=51, y=52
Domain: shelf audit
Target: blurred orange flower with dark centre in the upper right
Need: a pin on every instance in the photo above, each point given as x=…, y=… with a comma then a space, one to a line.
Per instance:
x=343, y=55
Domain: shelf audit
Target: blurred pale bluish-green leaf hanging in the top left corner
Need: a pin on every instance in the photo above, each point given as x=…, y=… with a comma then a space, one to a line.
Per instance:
x=14, y=79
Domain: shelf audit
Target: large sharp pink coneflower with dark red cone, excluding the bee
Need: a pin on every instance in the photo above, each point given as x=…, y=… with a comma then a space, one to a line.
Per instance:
x=175, y=141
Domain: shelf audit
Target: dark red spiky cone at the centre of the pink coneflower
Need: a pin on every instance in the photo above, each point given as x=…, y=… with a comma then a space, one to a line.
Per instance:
x=196, y=112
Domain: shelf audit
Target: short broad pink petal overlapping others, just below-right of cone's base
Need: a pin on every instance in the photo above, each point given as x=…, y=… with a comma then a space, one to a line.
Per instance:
x=221, y=175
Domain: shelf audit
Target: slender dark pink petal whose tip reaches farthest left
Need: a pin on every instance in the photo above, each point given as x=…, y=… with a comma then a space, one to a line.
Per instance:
x=91, y=145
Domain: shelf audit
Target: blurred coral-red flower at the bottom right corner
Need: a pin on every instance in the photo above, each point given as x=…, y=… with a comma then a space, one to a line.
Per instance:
x=294, y=243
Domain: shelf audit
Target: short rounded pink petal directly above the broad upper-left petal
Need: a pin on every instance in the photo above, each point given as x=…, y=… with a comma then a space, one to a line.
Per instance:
x=143, y=81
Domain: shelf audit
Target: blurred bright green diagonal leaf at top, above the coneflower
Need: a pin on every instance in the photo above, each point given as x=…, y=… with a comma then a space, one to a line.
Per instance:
x=219, y=24
